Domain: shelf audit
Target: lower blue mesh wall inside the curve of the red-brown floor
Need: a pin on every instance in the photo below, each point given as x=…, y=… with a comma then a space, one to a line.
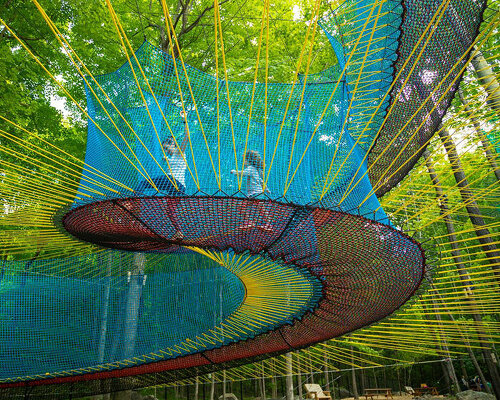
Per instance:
x=75, y=313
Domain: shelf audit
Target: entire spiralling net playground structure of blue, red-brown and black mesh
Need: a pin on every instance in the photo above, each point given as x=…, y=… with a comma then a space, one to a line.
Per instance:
x=213, y=229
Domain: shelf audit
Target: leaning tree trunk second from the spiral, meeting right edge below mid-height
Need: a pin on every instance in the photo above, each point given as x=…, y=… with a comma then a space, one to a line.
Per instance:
x=483, y=234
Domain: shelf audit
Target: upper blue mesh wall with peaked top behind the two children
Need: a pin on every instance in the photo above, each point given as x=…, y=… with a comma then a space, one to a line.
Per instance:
x=319, y=163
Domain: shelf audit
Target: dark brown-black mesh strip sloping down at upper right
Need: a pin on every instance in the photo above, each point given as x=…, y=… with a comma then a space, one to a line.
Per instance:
x=428, y=70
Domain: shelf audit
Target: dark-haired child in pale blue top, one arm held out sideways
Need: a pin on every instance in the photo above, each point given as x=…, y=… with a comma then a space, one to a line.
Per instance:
x=253, y=171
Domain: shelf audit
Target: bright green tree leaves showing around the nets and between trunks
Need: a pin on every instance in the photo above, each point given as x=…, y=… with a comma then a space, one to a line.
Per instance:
x=28, y=93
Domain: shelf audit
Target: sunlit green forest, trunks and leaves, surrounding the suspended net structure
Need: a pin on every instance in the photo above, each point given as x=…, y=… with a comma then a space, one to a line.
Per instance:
x=427, y=330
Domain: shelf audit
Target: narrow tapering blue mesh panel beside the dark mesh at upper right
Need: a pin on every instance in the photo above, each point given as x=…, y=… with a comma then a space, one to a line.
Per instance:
x=364, y=36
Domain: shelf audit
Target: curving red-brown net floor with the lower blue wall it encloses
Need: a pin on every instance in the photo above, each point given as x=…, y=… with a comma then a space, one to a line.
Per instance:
x=347, y=272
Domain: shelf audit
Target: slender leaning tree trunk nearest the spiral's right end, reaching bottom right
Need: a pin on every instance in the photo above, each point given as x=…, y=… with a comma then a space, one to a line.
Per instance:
x=463, y=275
